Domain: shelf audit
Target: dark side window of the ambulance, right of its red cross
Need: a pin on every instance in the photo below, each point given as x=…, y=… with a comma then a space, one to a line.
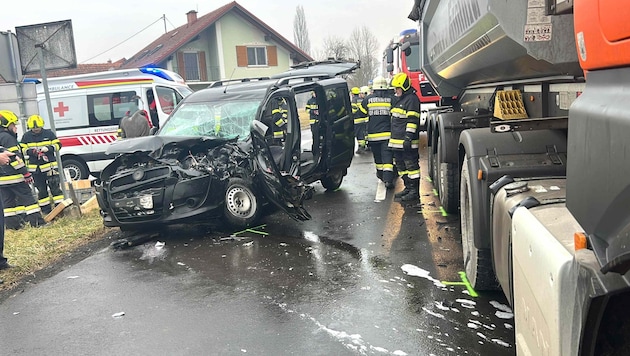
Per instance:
x=108, y=108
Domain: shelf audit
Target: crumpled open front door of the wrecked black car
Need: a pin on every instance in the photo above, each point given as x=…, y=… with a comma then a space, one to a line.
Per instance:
x=281, y=185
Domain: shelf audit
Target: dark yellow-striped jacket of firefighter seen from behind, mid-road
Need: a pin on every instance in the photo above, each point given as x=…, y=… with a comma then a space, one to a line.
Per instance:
x=376, y=107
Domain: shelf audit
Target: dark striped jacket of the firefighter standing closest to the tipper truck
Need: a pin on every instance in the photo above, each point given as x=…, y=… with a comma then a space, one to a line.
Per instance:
x=405, y=121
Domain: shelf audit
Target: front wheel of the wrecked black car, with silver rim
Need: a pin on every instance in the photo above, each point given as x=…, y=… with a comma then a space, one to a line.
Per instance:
x=242, y=207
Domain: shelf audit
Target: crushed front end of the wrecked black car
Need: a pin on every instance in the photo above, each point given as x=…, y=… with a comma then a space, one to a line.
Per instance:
x=160, y=179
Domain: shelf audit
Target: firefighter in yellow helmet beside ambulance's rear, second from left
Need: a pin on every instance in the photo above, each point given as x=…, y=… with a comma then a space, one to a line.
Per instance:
x=40, y=146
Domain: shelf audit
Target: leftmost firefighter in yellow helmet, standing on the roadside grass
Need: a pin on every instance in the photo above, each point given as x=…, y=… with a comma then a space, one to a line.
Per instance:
x=19, y=204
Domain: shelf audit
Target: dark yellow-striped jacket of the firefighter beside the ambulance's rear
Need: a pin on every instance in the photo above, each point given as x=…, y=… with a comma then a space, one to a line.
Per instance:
x=37, y=161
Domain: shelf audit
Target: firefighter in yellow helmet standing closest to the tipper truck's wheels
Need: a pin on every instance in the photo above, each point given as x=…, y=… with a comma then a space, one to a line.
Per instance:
x=404, y=140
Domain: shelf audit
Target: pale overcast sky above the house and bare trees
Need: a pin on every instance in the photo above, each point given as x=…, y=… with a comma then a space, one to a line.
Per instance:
x=99, y=27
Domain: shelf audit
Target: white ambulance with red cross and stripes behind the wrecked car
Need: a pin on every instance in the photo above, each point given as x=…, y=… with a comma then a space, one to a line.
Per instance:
x=87, y=109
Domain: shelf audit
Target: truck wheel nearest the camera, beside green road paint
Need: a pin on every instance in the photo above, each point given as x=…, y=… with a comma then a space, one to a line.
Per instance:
x=477, y=262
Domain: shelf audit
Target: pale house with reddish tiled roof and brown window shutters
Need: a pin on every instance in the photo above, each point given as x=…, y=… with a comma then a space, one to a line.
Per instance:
x=229, y=42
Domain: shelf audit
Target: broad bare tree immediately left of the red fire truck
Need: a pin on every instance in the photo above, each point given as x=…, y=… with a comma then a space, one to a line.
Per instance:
x=363, y=46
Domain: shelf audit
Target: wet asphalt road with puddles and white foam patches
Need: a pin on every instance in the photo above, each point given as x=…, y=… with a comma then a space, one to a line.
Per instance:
x=360, y=278
